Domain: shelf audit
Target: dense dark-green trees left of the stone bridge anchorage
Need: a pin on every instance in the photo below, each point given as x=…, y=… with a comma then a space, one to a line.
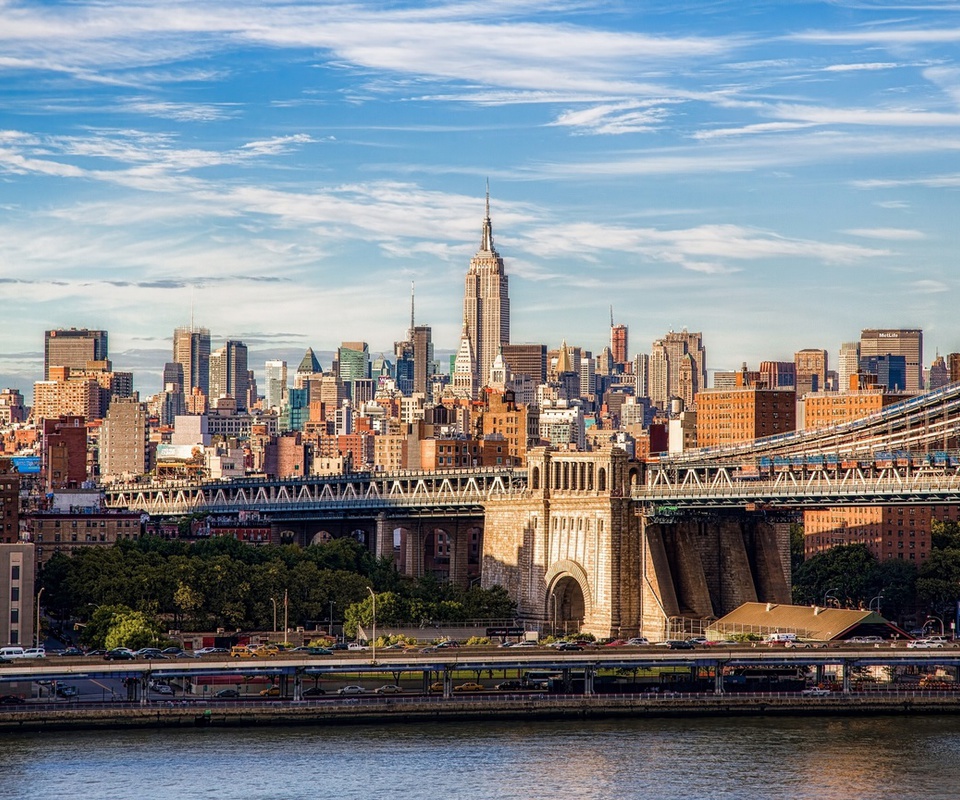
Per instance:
x=224, y=583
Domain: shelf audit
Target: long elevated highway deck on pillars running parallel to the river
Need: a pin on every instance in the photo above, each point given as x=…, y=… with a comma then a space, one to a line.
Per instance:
x=445, y=663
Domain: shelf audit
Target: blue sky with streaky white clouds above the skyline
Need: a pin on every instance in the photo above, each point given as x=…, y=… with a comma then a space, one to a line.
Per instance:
x=776, y=175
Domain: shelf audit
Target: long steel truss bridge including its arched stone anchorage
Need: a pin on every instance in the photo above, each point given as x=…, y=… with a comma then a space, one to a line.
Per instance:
x=597, y=541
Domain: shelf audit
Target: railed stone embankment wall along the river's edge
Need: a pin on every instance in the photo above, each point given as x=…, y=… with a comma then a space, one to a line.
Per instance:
x=405, y=710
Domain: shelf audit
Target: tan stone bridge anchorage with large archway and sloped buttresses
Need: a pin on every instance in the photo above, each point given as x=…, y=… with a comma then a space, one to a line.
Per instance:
x=577, y=554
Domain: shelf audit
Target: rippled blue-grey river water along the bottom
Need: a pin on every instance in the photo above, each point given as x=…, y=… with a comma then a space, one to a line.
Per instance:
x=826, y=758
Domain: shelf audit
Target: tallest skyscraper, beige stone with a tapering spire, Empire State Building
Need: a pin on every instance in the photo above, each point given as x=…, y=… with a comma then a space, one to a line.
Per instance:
x=486, y=304
